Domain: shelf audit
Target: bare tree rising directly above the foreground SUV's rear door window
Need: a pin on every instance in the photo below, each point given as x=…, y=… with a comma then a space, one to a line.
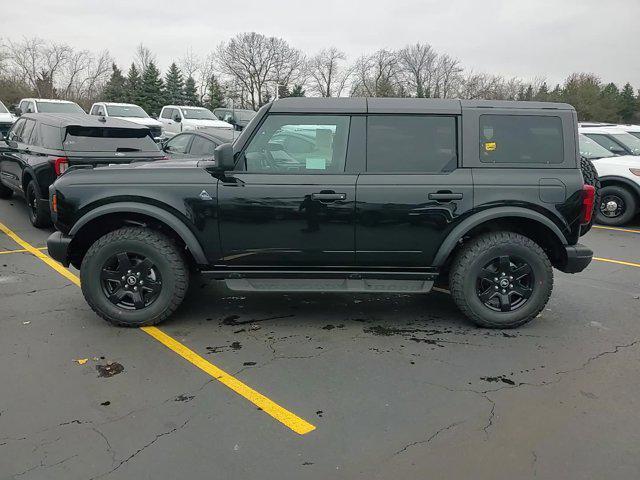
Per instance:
x=418, y=63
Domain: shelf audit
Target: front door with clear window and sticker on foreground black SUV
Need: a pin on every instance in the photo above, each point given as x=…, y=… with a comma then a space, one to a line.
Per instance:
x=290, y=203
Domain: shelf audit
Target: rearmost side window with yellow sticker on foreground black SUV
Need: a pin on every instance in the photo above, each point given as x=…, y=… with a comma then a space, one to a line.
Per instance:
x=521, y=139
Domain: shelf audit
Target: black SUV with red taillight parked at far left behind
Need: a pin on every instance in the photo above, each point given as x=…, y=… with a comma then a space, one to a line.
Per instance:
x=40, y=147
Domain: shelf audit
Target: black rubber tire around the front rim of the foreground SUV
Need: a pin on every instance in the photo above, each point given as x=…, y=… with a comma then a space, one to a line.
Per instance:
x=165, y=254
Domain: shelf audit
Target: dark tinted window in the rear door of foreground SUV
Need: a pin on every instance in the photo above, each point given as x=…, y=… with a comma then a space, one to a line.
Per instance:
x=411, y=143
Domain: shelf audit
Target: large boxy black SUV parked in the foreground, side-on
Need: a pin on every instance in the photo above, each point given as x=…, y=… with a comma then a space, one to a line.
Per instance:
x=356, y=195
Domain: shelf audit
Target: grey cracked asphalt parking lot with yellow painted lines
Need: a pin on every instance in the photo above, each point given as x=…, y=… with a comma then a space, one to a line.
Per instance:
x=319, y=386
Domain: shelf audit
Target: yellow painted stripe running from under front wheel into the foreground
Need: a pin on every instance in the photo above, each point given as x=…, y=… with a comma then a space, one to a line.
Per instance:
x=289, y=419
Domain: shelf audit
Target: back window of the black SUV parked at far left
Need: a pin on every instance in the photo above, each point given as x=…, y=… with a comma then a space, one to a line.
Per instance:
x=102, y=139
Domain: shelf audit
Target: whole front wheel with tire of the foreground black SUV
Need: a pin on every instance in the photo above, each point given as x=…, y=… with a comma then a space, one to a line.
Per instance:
x=134, y=277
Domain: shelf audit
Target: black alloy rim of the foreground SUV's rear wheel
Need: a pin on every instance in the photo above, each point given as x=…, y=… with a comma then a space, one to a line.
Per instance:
x=505, y=284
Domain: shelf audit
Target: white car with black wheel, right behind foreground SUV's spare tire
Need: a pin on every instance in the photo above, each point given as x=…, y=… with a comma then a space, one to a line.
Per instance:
x=619, y=181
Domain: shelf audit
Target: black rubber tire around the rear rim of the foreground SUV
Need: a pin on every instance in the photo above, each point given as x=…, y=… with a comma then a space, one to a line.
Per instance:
x=475, y=254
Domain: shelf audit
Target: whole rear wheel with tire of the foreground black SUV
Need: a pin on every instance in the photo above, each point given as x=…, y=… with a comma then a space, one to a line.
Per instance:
x=501, y=280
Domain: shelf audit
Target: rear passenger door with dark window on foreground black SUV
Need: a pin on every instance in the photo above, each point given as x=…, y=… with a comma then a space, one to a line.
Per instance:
x=413, y=191
